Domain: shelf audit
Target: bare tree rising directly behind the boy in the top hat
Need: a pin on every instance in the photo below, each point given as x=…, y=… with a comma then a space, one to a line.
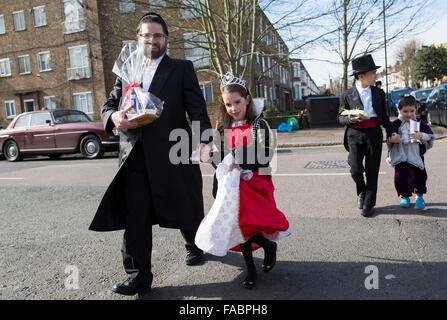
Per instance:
x=361, y=29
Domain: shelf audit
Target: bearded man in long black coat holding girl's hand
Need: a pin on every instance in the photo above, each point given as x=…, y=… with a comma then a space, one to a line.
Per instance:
x=149, y=188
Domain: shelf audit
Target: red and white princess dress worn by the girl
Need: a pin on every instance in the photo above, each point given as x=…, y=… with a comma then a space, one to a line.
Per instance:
x=245, y=204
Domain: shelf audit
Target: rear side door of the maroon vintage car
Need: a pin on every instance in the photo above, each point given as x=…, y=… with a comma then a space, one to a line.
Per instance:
x=40, y=136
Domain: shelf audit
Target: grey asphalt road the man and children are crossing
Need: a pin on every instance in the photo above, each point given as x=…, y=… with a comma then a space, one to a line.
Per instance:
x=47, y=251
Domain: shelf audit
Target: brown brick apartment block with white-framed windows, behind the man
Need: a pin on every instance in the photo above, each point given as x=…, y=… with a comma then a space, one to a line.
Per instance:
x=60, y=54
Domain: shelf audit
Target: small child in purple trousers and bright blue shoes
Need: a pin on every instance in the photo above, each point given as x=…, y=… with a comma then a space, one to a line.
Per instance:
x=407, y=156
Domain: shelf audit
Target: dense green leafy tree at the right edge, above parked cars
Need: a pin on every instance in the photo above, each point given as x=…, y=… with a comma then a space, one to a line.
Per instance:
x=430, y=63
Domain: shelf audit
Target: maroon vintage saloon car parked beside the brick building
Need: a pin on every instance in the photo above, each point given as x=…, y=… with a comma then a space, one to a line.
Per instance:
x=53, y=133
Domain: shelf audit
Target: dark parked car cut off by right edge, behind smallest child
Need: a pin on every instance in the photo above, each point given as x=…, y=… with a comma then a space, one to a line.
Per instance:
x=436, y=105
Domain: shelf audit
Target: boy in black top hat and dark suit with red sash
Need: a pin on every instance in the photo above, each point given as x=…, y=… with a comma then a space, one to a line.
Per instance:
x=363, y=135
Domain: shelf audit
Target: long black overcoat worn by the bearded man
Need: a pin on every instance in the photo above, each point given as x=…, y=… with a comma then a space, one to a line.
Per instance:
x=175, y=189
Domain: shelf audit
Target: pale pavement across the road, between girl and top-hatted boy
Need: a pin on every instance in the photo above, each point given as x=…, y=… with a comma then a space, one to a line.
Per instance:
x=328, y=136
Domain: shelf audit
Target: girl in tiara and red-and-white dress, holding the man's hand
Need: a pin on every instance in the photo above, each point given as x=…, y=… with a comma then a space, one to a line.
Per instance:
x=250, y=140
